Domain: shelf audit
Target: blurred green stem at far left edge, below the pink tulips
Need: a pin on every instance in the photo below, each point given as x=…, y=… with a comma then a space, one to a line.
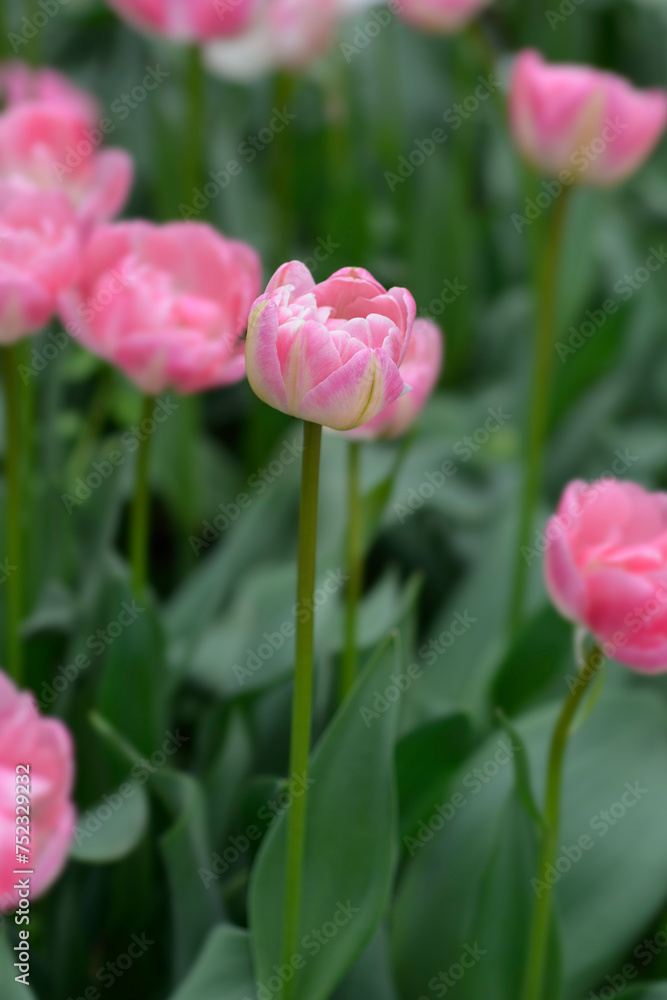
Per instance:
x=13, y=501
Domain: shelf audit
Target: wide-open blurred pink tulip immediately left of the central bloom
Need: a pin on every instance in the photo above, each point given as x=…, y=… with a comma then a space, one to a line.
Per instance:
x=166, y=304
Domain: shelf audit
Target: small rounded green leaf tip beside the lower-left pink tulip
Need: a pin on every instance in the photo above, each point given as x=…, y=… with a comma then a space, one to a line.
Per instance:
x=101, y=838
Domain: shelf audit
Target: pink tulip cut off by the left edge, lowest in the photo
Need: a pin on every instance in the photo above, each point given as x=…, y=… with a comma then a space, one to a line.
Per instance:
x=40, y=750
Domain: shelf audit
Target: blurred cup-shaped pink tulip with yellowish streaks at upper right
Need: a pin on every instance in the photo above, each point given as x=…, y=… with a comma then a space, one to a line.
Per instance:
x=591, y=124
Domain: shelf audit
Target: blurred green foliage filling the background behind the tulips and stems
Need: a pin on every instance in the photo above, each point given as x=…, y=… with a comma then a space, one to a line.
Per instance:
x=172, y=671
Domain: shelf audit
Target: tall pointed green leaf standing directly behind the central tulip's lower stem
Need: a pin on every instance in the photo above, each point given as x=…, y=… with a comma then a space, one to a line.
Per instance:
x=350, y=842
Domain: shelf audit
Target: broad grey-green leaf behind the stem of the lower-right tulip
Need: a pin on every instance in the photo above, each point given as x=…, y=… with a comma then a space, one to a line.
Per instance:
x=604, y=903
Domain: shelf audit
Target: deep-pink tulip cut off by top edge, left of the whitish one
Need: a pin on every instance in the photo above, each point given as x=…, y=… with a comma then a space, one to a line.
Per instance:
x=187, y=20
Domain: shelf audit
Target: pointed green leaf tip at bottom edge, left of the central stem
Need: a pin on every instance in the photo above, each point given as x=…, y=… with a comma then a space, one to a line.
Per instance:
x=223, y=970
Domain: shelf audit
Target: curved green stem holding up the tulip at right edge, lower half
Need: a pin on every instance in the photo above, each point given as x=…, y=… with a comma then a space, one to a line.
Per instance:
x=539, y=934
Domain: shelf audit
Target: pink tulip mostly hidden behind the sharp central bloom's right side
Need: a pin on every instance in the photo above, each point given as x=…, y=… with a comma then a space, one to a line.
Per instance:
x=420, y=370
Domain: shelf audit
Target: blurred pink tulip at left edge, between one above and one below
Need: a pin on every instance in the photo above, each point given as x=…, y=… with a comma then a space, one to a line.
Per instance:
x=50, y=145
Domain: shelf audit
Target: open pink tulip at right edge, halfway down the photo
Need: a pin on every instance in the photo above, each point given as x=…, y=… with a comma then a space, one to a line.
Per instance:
x=606, y=568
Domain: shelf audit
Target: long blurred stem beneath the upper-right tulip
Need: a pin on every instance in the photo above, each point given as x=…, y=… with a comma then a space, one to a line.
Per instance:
x=538, y=416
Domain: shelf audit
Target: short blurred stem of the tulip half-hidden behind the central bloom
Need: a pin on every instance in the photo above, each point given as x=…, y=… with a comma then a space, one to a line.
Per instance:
x=355, y=562
